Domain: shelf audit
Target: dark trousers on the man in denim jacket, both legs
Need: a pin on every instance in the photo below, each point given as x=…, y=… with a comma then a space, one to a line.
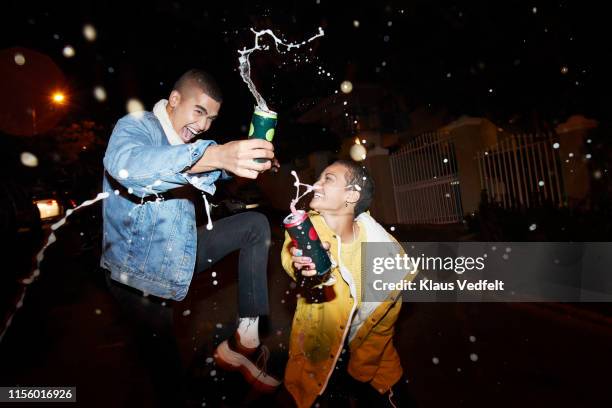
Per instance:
x=152, y=317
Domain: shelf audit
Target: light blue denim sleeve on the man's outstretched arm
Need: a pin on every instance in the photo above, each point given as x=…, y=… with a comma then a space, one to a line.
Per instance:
x=136, y=163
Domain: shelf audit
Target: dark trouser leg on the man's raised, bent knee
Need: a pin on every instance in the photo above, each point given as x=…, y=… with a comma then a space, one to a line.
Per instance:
x=248, y=232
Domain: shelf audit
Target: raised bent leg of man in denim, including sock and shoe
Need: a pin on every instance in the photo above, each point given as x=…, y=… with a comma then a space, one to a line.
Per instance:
x=250, y=233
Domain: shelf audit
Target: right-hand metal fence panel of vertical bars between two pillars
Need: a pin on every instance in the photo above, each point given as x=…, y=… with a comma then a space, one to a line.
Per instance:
x=522, y=171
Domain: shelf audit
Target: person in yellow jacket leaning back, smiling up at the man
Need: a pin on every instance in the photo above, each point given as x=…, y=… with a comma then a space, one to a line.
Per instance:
x=342, y=195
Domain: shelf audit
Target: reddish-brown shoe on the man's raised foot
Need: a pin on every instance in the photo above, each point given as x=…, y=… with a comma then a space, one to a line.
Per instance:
x=251, y=362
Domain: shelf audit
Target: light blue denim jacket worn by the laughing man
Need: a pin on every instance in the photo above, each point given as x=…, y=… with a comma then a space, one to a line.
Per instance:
x=150, y=236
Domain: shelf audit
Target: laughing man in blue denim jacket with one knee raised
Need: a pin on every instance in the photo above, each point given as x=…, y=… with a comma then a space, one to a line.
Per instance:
x=151, y=244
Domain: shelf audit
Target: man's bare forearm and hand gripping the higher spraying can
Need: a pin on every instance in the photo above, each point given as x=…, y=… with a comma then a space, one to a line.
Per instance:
x=237, y=157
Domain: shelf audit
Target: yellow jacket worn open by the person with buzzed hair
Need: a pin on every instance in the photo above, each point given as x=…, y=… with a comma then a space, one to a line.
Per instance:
x=319, y=329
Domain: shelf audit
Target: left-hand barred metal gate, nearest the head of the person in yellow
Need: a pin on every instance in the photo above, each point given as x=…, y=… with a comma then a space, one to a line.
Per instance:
x=425, y=182
